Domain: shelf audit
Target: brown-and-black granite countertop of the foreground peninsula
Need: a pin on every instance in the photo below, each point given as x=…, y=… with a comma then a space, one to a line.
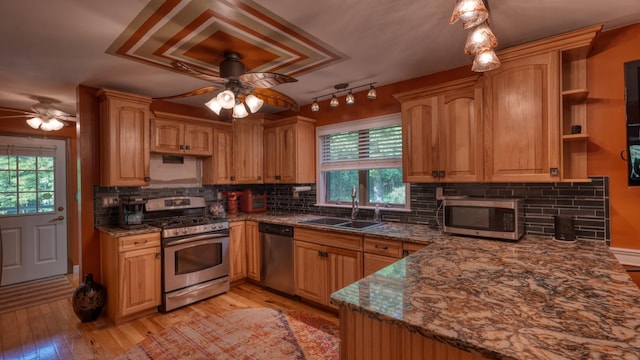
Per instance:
x=534, y=299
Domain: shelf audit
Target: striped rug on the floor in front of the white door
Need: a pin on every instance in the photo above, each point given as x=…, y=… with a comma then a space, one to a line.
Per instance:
x=24, y=295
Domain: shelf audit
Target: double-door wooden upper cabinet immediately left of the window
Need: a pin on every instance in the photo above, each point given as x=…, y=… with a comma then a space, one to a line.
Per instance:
x=289, y=155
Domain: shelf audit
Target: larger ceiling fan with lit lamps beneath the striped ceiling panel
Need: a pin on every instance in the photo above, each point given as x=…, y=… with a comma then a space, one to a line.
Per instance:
x=235, y=87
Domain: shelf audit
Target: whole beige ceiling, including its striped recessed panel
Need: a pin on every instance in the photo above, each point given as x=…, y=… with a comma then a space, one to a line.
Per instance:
x=49, y=47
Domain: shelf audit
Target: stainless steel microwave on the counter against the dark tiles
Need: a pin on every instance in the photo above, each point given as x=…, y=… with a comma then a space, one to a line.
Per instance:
x=483, y=217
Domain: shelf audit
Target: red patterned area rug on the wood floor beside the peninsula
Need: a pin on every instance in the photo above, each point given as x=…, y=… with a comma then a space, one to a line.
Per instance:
x=243, y=334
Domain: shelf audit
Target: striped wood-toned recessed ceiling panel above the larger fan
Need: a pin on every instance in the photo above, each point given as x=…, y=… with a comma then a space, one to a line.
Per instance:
x=198, y=33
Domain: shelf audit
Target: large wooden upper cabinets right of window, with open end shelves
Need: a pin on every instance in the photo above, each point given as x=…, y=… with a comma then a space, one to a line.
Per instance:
x=523, y=122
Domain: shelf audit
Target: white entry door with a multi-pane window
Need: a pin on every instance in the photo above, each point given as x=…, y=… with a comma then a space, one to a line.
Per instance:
x=33, y=211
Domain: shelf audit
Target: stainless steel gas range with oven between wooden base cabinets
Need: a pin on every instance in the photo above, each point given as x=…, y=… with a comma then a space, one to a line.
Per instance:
x=195, y=250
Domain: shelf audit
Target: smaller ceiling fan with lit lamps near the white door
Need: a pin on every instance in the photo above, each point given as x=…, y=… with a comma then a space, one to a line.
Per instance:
x=43, y=115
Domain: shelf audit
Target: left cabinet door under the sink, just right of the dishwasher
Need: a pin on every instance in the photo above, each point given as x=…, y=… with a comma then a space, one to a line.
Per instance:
x=310, y=271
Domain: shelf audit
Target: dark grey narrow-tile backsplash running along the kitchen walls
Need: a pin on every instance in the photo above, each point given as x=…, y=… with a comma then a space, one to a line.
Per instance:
x=588, y=202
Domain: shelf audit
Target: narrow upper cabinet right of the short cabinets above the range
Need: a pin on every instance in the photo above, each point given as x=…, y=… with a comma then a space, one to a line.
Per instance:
x=218, y=169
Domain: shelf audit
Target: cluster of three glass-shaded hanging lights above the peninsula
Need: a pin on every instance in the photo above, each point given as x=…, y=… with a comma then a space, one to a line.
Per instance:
x=481, y=41
